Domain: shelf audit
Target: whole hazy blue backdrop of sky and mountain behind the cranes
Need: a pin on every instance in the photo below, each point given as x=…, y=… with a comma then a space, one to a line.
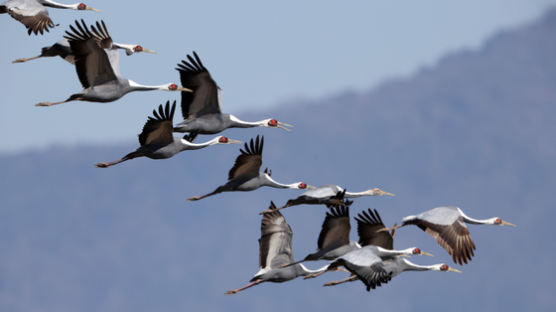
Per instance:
x=441, y=103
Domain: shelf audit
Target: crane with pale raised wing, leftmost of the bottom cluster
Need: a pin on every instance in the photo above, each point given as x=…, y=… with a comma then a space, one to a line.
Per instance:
x=275, y=250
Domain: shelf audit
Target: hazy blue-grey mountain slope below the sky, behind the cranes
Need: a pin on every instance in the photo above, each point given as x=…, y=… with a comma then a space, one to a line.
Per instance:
x=476, y=130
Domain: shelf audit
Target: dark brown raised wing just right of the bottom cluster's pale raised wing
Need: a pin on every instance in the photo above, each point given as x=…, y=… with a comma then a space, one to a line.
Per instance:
x=335, y=228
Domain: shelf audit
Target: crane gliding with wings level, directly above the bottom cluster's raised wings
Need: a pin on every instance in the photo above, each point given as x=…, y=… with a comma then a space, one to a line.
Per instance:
x=327, y=195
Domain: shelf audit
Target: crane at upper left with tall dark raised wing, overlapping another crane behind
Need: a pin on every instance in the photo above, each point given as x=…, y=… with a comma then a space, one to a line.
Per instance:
x=99, y=70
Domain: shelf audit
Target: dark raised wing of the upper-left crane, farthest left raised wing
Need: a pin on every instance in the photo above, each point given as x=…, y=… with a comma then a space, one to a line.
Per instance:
x=91, y=61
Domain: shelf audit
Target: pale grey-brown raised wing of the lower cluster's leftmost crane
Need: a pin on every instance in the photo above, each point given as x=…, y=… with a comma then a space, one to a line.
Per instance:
x=275, y=244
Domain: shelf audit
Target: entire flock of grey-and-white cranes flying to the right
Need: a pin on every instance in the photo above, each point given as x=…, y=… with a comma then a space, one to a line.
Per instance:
x=372, y=259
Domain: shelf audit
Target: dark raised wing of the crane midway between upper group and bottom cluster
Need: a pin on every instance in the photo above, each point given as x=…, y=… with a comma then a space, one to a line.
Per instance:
x=249, y=163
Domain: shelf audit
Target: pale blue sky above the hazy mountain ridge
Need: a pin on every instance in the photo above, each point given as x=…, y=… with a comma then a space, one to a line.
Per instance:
x=261, y=54
